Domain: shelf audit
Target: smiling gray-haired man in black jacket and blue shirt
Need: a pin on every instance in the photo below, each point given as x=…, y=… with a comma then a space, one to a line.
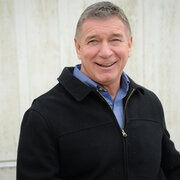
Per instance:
x=96, y=123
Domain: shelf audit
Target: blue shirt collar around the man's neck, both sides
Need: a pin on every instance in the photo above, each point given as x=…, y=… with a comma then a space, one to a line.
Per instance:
x=89, y=82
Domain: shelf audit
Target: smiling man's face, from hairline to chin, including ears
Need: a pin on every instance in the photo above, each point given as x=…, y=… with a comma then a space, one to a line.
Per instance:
x=103, y=48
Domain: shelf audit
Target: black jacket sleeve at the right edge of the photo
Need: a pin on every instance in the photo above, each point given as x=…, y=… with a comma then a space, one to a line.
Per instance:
x=170, y=157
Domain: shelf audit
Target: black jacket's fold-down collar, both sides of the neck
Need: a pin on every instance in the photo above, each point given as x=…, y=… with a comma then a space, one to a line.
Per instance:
x=79, y=90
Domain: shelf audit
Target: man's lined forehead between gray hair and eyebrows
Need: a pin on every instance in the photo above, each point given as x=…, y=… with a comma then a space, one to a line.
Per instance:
x=106, y=26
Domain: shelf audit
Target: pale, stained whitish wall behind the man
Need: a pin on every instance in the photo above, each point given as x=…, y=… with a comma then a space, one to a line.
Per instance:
x=36, y=42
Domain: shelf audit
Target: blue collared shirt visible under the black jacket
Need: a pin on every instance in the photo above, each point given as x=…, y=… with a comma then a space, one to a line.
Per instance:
x=117, y=104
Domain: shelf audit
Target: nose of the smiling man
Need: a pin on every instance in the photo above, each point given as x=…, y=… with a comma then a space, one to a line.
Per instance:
x=105, y=50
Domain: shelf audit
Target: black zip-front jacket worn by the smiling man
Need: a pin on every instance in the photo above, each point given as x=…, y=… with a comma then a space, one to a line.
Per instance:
x=71, y=133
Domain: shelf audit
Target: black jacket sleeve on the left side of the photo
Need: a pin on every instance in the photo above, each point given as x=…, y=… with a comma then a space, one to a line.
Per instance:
x=38, y=157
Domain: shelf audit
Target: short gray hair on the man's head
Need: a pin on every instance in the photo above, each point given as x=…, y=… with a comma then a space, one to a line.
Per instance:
x=102, y=10
